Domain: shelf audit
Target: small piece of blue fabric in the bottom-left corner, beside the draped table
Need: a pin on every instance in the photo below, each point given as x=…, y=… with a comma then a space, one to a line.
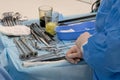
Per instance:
x=4, y=74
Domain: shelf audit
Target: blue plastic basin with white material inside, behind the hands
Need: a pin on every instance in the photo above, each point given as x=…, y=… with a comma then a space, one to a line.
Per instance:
x=73, y=31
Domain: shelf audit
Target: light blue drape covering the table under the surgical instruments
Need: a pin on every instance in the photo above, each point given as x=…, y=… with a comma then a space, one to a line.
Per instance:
x=61, y=70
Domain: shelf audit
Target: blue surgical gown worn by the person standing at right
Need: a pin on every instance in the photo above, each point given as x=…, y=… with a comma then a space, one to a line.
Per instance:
x=102, y=51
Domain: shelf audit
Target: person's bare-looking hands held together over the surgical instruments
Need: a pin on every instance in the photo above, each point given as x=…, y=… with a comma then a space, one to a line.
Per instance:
x=74, y=54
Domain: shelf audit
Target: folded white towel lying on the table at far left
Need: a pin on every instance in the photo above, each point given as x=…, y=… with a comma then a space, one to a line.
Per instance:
x=17, y=30
